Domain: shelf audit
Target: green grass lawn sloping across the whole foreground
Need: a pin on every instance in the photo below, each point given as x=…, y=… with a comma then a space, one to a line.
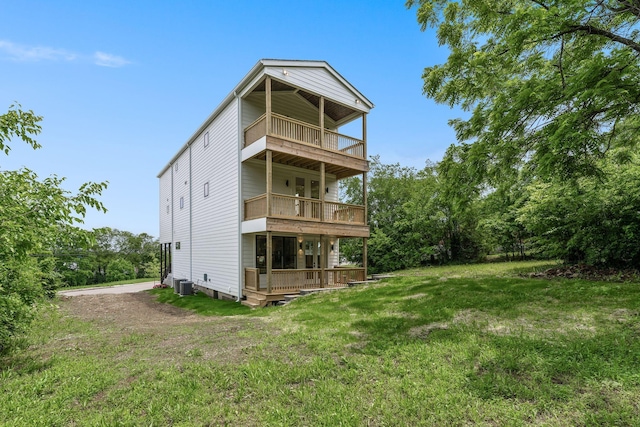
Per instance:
x=462, y=345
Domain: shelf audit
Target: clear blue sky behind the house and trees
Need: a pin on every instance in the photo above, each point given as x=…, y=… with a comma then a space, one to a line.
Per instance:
x=123, y=84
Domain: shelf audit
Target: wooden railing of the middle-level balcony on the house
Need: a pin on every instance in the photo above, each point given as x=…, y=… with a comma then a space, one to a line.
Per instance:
x=302, y=208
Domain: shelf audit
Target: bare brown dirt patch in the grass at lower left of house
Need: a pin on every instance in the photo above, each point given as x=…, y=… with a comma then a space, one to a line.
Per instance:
x=170, y=332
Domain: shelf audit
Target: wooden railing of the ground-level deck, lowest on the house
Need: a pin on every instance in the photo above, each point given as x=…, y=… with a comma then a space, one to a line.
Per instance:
x=292, y=280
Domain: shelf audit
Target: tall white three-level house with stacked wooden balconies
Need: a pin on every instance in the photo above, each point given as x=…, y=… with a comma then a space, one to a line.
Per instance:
x=249, y=204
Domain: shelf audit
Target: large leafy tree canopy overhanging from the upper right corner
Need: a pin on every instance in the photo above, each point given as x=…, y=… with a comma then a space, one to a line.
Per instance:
x=552, y=85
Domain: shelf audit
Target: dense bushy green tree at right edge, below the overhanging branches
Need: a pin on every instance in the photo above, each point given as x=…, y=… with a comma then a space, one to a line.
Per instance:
x=590, y=220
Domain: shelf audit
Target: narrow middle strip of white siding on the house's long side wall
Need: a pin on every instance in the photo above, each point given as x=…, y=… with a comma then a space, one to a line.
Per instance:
x=181, y=257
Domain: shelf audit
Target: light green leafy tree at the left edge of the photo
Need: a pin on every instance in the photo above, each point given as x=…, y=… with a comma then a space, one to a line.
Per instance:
x=35, y=215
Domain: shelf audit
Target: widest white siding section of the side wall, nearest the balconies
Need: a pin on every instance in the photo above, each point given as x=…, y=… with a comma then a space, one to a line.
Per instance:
x=215, y=218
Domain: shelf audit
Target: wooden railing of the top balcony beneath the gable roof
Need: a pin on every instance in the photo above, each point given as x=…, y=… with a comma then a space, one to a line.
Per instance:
x=295, y=130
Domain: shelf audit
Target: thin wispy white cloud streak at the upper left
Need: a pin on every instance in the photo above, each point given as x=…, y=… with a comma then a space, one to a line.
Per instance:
x=21, y=53
